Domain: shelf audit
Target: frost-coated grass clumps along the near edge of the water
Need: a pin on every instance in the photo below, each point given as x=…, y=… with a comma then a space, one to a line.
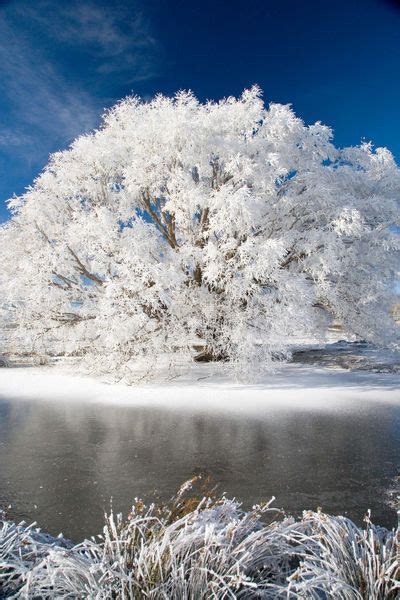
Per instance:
x=200, y=545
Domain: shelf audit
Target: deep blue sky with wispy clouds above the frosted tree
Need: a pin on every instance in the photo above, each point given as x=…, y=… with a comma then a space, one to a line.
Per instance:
x=62, y=63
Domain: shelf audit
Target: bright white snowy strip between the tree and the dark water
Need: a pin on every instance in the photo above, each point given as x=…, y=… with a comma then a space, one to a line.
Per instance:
x=293, y=385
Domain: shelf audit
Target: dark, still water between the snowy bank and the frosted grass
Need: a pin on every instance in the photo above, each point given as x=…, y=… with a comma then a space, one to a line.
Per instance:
x=61, y=463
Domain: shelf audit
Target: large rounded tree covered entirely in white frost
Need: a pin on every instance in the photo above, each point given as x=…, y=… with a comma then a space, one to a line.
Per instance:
x=216, y=231
